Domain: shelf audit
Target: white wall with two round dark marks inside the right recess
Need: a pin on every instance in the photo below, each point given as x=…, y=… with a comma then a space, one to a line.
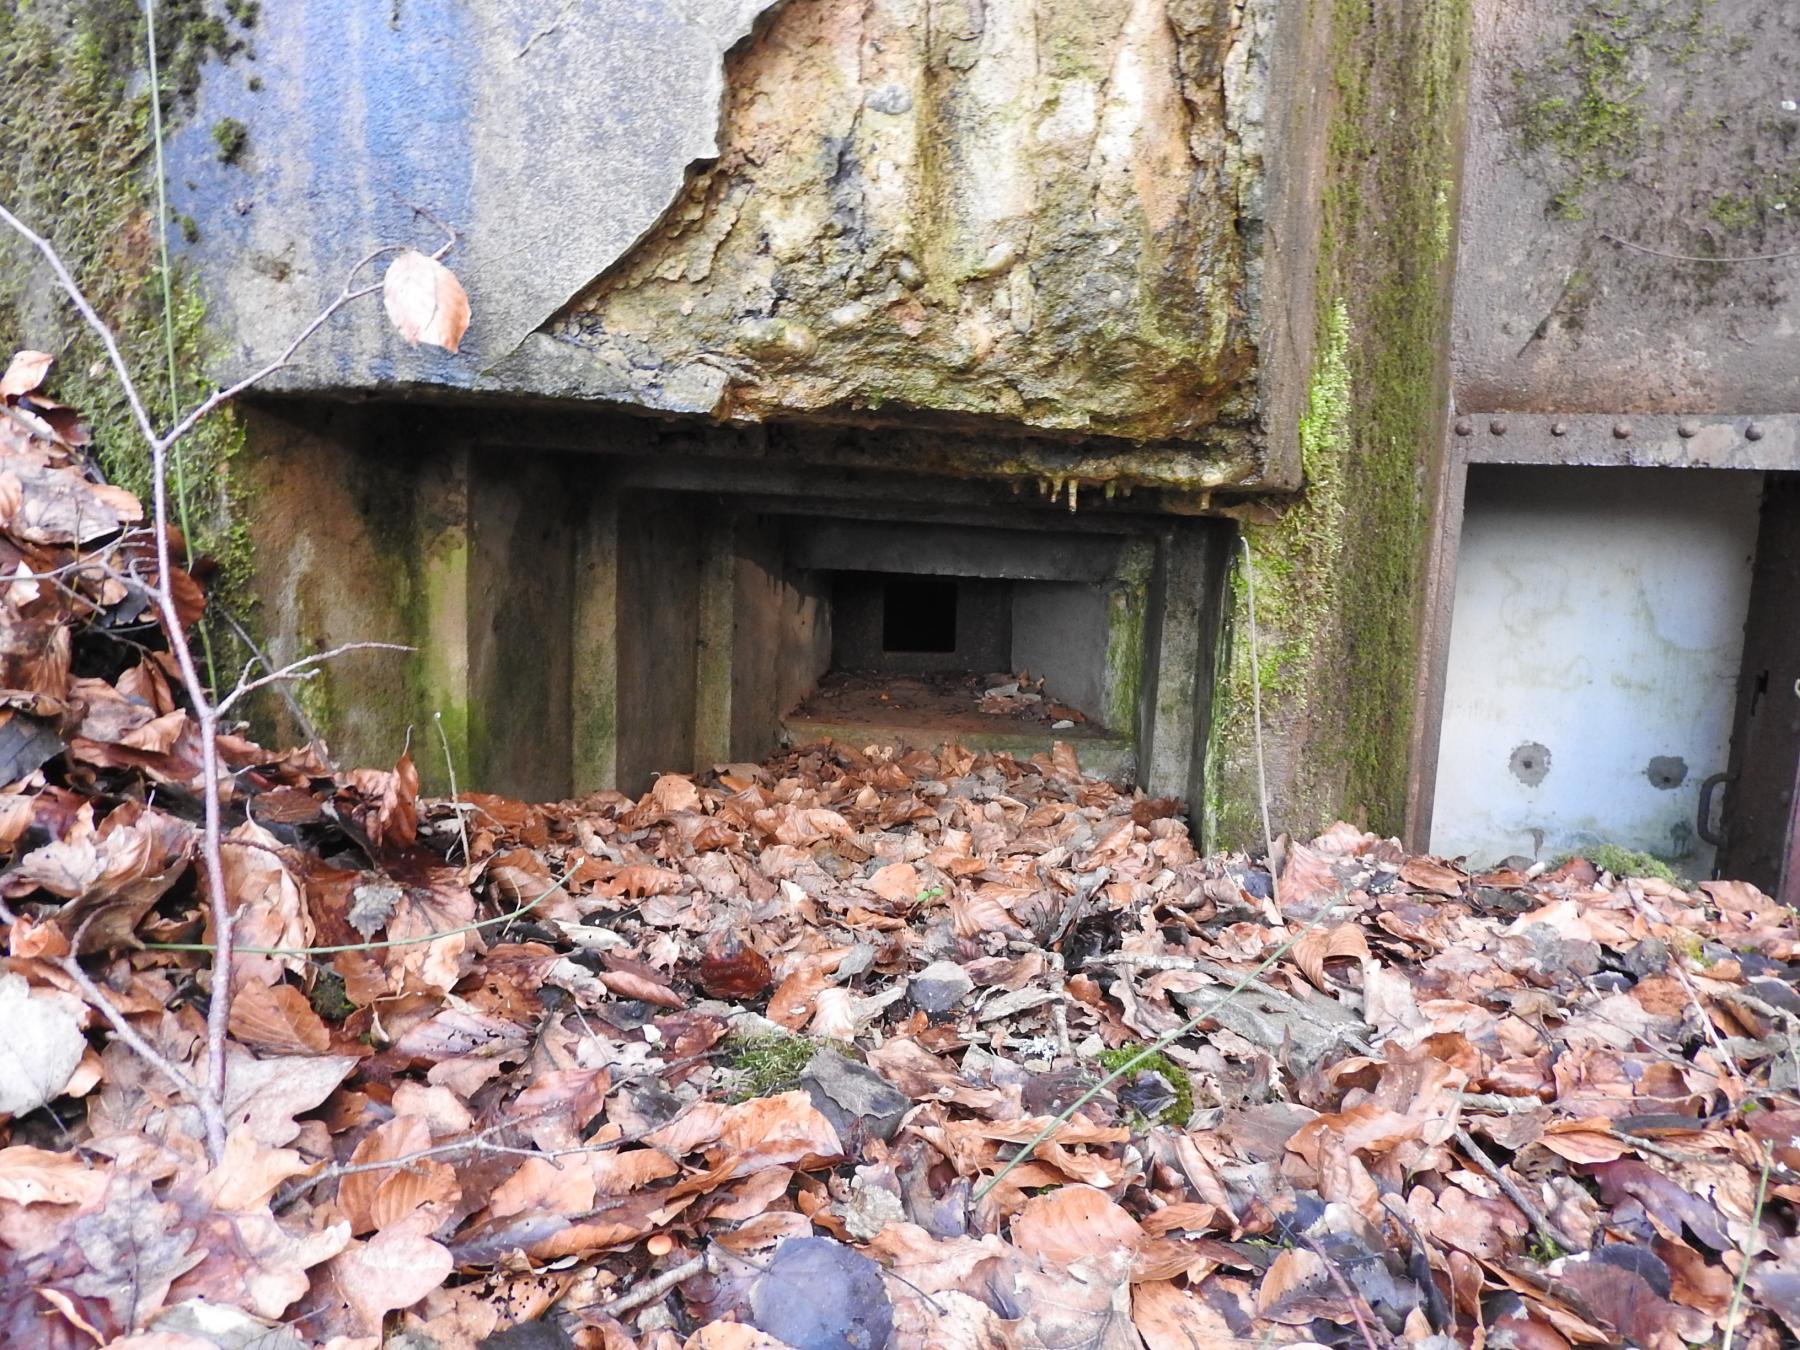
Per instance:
x=1594, y=660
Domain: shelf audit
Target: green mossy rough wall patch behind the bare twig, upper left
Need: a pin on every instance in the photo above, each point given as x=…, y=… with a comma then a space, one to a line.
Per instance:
x=76, y=145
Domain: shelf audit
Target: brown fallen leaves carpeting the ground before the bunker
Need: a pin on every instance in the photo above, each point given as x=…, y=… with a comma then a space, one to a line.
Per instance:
x=759, y=1059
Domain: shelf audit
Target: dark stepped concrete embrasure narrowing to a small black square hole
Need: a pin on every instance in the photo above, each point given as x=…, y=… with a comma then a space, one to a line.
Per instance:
x=600, y=598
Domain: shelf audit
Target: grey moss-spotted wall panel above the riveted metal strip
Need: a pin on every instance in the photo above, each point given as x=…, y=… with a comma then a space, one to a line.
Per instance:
x=1614, y=148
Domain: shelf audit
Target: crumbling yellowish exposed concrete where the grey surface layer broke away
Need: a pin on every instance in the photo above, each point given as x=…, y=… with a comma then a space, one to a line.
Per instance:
x=1014, y=211
